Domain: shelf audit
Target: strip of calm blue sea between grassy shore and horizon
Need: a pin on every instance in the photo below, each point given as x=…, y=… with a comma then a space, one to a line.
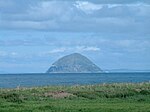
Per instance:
x=30, y=80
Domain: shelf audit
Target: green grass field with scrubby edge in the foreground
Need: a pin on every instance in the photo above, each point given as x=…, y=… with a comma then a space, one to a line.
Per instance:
x=91, y=98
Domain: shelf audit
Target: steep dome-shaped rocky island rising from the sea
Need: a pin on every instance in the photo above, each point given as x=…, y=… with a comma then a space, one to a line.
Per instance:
x=74, y=63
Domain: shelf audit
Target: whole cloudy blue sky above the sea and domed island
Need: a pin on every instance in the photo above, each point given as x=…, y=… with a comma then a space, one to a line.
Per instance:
x=114, y=34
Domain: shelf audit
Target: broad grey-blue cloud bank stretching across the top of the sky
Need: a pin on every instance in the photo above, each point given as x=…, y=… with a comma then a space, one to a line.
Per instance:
x=77, y=16
